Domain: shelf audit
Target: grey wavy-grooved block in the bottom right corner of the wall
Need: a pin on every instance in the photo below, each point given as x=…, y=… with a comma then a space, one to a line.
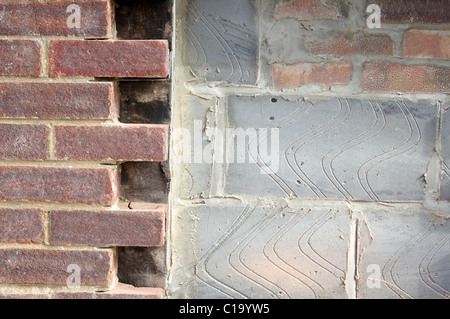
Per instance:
x=403, y=255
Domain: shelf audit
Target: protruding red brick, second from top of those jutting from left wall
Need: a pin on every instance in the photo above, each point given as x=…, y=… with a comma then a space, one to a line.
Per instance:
x=116, y=142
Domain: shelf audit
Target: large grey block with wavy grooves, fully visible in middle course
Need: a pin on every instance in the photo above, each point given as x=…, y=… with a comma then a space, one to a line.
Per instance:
x=335, y=149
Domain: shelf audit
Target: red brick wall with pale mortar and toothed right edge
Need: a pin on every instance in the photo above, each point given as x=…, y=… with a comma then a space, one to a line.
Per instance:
x=63, y=144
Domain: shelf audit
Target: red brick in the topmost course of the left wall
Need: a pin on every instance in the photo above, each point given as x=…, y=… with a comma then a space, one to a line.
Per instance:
x=32, y=17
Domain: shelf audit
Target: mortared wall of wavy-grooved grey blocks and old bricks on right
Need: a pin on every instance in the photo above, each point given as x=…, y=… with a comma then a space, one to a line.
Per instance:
x=318, y=191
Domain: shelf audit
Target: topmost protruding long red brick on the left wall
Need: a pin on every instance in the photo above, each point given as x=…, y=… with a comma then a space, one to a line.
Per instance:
x=120, y=59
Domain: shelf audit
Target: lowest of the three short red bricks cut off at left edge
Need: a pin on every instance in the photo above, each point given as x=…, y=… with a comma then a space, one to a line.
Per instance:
x=22, y=225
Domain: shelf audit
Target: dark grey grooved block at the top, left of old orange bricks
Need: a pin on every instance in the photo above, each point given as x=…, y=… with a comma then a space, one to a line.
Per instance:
x=221, y=40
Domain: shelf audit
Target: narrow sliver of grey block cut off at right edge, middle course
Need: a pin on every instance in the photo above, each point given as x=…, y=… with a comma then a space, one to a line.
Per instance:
x=445, y=147
